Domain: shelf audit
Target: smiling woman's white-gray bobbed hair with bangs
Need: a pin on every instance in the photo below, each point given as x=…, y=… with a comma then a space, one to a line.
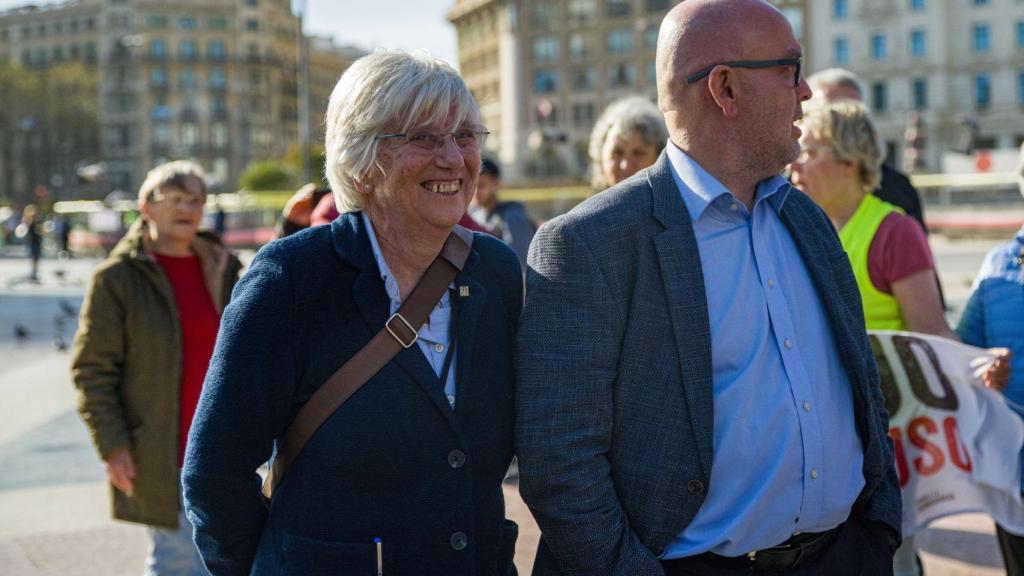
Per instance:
x=388, y=92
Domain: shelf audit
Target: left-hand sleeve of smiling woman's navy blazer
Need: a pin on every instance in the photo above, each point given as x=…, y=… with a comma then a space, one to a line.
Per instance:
x=245, y=405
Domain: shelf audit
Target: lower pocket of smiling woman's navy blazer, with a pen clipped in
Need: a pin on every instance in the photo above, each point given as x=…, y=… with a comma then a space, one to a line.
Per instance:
x=309, y=557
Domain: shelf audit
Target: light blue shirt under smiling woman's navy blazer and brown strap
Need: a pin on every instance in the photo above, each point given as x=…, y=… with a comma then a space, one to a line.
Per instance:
x=434, y=341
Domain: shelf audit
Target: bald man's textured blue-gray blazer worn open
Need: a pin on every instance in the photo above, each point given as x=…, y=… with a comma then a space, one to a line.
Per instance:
x=615, y=400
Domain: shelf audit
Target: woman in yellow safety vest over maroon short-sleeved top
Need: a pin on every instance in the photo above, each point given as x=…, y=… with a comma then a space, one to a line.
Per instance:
x=839, y=168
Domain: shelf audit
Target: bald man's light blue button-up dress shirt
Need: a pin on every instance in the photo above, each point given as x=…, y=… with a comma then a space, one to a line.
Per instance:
x=788, y=458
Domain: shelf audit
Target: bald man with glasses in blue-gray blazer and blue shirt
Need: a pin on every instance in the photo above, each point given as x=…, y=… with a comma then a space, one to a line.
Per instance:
x=696, y=392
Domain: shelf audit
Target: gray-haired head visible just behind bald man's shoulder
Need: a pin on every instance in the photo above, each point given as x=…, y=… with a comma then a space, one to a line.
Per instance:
x=627, y=138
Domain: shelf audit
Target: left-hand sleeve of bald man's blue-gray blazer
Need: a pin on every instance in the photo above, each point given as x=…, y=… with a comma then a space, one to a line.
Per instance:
x=568, y=352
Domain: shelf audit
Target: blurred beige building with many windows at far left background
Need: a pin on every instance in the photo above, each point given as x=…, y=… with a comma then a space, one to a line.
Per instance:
x=209, y=80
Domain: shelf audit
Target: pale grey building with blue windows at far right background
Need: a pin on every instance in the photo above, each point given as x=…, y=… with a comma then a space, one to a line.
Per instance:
x=957, y=66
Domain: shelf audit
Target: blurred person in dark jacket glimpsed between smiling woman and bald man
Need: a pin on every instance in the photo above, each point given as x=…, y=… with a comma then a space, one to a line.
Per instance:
x=506, y=220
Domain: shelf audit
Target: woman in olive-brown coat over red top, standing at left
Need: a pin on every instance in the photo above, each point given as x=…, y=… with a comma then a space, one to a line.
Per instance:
x=147, y=332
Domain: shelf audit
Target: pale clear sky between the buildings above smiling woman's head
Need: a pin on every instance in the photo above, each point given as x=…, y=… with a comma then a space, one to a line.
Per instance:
x=370, y=24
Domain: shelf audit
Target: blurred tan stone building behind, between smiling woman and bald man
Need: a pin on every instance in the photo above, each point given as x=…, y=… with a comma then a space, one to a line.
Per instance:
x=543, y=71
